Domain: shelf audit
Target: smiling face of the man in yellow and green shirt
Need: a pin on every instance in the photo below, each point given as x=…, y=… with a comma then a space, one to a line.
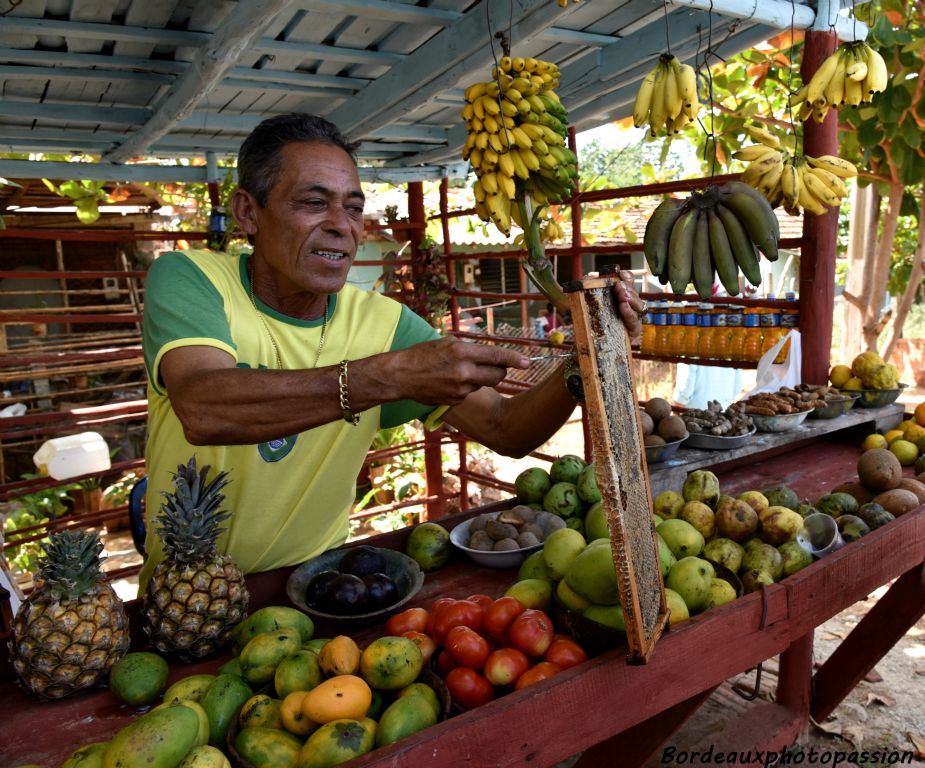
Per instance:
x=309, y=231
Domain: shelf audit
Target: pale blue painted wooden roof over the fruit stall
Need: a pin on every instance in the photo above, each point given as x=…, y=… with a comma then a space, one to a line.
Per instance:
x=183, y=78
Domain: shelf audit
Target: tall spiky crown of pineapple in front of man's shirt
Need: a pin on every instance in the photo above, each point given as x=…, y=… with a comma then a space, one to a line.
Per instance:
x=190, y=518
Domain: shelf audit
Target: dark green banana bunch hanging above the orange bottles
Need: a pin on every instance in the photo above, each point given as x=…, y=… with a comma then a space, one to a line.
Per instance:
x=715, y=233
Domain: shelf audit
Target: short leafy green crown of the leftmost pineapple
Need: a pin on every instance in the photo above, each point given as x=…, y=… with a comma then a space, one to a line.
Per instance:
x=71, y=565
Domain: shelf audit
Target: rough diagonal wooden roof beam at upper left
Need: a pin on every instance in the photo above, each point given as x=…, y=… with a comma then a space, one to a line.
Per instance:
x=240, y=29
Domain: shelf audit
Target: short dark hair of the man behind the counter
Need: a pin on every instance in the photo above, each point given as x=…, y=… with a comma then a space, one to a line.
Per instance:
x=260, y=156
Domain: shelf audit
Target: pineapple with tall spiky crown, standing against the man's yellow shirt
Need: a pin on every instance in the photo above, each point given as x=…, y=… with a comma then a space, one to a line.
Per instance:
x=196, y=595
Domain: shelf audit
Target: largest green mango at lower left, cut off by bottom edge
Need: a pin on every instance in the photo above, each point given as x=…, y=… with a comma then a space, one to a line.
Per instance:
x=160, y=738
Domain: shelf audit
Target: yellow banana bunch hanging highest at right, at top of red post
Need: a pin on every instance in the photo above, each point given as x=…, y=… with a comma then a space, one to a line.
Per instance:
x=851, y=75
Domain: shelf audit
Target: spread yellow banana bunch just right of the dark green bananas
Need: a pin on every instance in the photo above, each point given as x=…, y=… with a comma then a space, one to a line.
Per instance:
x=796, y=182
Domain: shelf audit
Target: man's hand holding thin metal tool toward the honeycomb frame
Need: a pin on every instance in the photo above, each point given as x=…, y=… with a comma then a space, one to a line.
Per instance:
x=446, y=371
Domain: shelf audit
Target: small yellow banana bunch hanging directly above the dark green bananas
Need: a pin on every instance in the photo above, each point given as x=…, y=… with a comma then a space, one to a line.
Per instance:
x=667, y=98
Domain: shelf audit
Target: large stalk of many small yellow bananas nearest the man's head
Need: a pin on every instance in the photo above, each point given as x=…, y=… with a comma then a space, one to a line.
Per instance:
x=516, y=143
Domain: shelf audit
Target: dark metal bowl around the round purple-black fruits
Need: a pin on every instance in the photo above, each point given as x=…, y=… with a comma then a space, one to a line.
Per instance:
x=403, y=570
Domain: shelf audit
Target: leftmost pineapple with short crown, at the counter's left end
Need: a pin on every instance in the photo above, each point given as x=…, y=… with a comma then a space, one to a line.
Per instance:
x=73, y=627
